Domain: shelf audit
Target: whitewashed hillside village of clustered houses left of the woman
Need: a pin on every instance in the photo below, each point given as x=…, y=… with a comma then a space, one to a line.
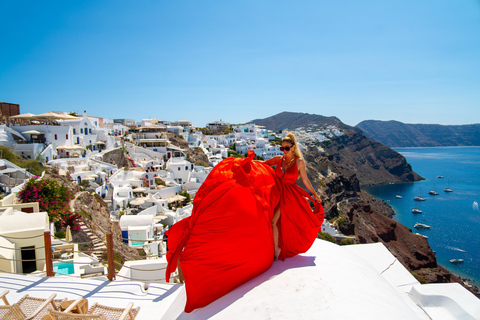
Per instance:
x=147, y=173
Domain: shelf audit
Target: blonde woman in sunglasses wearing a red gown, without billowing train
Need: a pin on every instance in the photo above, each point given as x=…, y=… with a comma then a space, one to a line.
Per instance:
x=292, y=207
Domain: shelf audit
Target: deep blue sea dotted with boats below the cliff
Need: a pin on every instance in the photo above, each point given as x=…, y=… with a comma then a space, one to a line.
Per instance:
x=454, y=217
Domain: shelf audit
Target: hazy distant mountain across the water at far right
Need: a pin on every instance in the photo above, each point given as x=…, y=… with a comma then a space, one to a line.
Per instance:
x=398, y=134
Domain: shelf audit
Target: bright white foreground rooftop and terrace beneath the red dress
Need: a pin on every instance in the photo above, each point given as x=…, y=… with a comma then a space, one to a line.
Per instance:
x=327, y=282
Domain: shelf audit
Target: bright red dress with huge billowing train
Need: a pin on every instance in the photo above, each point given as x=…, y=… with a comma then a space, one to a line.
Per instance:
x=228, y=239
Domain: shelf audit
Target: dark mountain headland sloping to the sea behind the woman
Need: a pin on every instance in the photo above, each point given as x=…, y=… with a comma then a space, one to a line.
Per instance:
x=372, y=162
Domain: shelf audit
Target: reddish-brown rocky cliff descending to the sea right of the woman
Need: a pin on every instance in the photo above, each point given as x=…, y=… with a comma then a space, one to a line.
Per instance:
x=370, y=220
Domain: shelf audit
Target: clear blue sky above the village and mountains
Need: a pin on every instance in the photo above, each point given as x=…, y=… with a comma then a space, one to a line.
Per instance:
x=411, y=61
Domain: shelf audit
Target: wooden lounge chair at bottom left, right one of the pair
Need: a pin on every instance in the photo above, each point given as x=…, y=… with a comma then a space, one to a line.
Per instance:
x=96, y=311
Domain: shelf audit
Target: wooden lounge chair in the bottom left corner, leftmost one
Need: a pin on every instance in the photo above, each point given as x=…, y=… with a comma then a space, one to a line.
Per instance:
x=28, y=307
